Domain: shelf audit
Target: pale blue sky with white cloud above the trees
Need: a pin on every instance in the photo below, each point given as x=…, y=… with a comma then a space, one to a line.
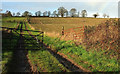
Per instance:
x=108, y=7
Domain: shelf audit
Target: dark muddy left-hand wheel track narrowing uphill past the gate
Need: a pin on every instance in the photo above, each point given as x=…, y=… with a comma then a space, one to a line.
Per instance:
x=19, y=62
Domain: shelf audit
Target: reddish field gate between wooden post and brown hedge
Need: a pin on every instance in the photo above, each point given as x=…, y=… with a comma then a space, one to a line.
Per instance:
x=75, y=34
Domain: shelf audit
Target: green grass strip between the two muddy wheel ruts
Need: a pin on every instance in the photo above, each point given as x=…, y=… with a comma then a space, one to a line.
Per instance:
x=42, y=58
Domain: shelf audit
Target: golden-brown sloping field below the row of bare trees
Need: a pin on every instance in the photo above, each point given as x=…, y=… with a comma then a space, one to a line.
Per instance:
x=56, y=24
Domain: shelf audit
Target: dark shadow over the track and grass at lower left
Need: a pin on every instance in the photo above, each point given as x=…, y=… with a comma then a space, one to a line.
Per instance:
x=17, y=62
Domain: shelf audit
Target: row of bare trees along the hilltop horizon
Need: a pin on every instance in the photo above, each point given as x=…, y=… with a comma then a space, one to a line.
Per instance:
x=60, y=12
